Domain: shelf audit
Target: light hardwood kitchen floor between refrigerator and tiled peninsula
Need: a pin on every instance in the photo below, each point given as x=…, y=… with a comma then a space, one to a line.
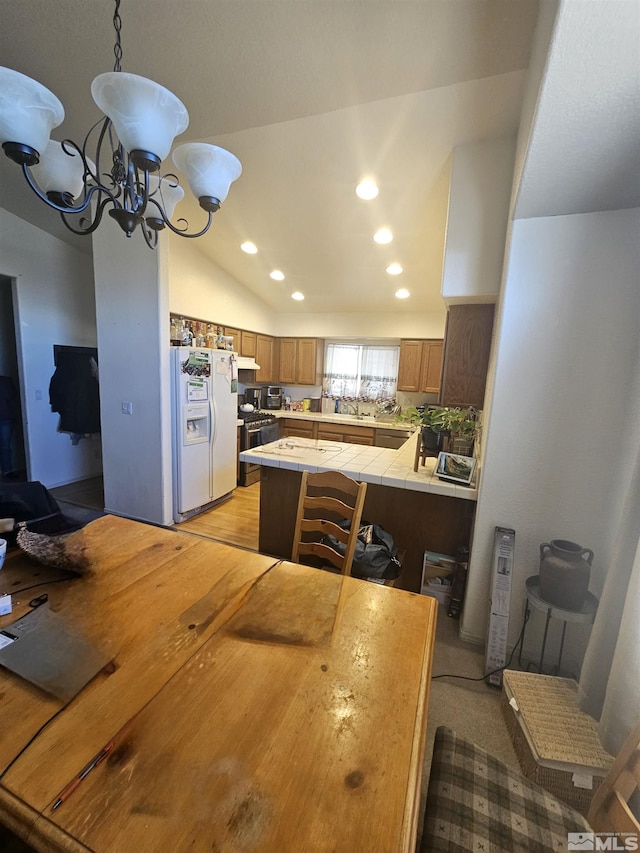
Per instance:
x=235, y=521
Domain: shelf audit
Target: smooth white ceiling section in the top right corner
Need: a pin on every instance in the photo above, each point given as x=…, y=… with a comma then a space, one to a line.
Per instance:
x=584, y=153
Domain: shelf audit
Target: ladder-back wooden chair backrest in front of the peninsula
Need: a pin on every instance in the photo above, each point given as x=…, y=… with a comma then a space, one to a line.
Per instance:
x=326, y=499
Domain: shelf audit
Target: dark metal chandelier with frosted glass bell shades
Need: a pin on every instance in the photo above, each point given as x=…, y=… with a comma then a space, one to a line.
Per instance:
x=140, y=121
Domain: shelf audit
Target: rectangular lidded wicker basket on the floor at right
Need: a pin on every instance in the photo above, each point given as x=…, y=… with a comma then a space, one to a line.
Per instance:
x=550, y=733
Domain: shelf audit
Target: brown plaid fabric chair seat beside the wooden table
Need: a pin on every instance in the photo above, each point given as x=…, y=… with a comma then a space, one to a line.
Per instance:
x=477, y=803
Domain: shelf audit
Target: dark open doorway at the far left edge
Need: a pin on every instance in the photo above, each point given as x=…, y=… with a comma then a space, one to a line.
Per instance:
x=9, y=367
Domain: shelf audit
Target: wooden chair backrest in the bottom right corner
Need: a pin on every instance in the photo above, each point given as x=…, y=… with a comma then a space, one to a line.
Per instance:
x=609, y=810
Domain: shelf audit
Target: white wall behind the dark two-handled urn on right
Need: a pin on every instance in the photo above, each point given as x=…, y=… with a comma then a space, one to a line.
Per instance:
x=563, y=414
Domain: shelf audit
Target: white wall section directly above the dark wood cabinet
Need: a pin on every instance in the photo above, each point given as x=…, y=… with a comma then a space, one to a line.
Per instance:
x=479, y=198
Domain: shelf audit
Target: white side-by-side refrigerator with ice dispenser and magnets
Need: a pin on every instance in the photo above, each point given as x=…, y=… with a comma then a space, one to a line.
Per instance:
x=204, y=386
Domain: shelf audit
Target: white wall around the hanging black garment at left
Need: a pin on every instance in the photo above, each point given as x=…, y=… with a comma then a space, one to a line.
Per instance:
x=55, y=305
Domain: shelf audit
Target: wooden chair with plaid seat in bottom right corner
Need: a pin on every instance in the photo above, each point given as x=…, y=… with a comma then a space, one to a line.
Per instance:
x=476, y=802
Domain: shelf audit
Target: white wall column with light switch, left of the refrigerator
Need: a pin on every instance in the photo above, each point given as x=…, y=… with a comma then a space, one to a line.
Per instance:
x=132, y=308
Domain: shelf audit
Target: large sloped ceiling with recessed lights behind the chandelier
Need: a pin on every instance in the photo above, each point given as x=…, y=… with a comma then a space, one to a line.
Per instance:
x=311, y=95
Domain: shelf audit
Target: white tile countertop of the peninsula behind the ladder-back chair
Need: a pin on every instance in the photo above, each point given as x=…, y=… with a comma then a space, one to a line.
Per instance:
x=378, y=465
